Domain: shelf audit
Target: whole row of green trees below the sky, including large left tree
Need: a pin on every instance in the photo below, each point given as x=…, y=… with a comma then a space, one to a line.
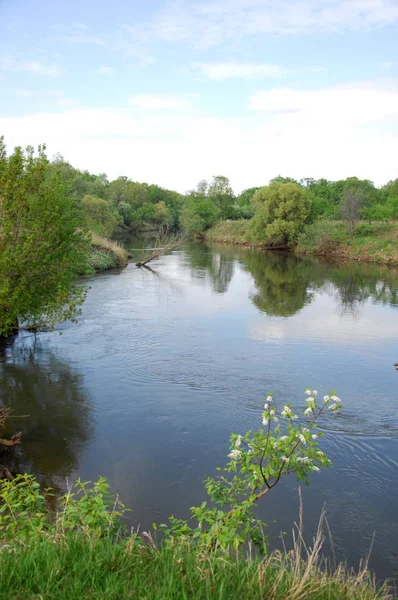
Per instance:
x=48, y=207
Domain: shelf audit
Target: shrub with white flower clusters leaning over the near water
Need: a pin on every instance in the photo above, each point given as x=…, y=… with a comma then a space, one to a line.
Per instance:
x=258, y=462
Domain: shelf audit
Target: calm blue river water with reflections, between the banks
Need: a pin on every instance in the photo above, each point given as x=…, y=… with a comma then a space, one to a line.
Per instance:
x=163, y=365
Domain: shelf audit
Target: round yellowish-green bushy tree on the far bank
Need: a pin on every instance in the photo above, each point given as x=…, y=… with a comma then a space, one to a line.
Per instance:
x=281, y=211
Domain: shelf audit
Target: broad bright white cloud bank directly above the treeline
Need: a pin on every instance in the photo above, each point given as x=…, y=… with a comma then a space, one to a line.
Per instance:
x=333, y=135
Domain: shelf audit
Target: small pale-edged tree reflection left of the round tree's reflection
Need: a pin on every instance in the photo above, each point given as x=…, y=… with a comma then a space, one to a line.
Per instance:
x=218, y=265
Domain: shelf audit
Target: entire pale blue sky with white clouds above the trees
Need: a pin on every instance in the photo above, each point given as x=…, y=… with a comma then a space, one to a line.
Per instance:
x=175, y=92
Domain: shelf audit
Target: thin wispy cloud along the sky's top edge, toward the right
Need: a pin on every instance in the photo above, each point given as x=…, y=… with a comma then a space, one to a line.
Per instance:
x=208, y=23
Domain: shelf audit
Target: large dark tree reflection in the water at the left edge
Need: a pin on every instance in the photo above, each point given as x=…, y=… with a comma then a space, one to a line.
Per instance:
x=34, y=382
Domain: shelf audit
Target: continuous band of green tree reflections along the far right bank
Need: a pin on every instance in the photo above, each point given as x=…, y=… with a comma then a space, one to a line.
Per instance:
x=285, y=283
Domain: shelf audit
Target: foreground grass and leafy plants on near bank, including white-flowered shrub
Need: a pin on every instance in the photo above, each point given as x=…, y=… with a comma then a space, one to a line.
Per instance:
x=83, y=550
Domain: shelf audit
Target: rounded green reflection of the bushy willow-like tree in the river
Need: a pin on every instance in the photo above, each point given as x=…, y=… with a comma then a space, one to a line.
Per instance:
x=282, y=281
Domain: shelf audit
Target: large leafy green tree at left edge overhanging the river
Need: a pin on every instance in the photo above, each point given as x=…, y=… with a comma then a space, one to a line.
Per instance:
x=43, y=242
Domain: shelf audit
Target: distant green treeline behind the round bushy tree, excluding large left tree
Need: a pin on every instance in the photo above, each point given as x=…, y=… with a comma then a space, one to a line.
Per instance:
x=109, y=205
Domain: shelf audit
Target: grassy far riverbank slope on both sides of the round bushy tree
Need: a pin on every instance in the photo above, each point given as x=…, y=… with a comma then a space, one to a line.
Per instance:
x=375, y=242
